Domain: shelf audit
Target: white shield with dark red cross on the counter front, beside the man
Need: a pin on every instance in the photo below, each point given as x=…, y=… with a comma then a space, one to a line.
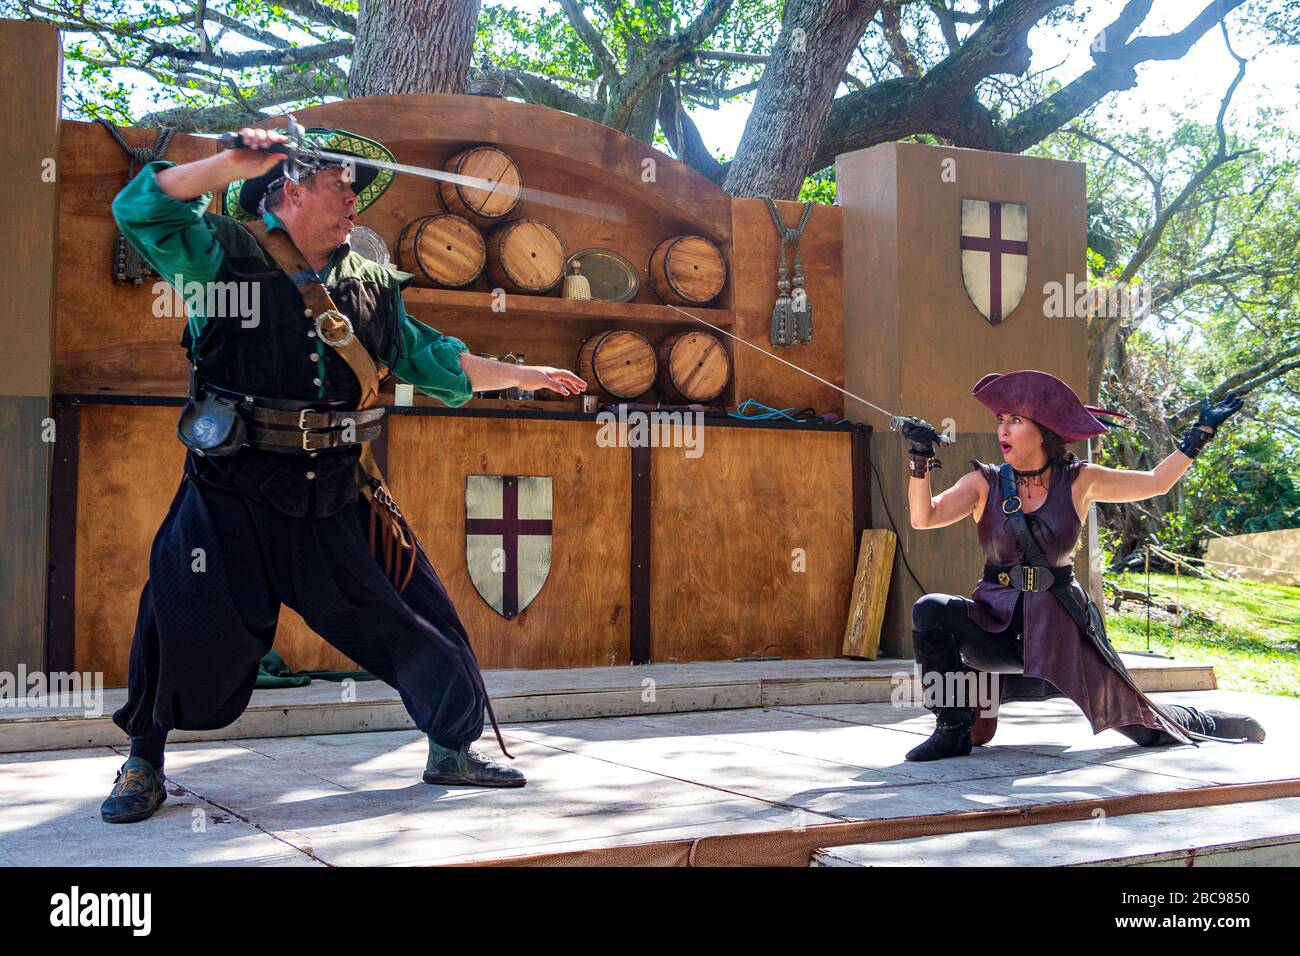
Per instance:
x=508, y=539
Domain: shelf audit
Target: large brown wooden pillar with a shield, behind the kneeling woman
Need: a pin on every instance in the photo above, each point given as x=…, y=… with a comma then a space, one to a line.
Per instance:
x=916, y=343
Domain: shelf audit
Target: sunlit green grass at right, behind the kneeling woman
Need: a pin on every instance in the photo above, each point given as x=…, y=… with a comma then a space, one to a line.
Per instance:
x=1254, y=641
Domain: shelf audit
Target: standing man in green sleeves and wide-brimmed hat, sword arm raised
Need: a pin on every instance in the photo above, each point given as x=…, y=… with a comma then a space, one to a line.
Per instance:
x=281, y=500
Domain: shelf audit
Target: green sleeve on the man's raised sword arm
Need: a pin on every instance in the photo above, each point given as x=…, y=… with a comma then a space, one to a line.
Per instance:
x=172, y=235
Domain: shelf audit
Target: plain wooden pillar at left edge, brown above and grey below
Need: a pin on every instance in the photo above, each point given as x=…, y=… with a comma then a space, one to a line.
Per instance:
x=31, y=93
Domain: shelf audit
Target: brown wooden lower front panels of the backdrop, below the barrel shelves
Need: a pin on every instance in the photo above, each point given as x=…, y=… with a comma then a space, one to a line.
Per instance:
x=751, y=544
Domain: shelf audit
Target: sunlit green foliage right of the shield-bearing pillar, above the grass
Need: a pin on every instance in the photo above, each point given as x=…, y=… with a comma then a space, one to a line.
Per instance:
x=1225, y=278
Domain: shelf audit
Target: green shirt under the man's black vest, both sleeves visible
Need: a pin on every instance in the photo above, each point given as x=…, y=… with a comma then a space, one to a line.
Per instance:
x=179, y=241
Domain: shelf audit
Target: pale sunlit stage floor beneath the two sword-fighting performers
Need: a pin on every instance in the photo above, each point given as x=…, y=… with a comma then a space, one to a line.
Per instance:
x=357, y=799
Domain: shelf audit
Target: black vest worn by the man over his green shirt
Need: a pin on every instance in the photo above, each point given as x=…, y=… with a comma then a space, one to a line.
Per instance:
x=270, y=354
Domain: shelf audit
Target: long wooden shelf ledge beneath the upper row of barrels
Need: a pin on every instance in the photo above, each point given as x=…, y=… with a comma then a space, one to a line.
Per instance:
x=564, y=310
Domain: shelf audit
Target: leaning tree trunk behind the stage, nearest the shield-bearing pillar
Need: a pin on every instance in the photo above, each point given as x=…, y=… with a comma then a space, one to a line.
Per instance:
x=817, y=40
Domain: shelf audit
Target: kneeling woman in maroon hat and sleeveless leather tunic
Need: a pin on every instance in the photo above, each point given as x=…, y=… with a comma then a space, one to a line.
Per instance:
x=1029, y=618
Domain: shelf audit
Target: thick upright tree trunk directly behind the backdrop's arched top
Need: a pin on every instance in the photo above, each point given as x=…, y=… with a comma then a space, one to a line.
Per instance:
x=413, y=46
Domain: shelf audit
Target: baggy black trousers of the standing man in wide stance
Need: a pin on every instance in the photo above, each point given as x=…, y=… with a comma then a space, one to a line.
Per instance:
x=222, y=566
